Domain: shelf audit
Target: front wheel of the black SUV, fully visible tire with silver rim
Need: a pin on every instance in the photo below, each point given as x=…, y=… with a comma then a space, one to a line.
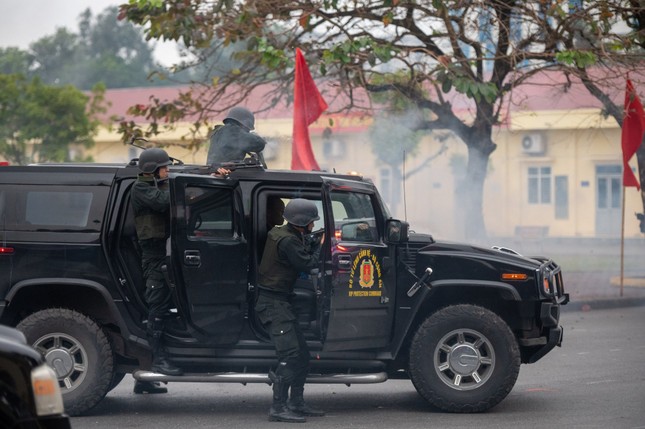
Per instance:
x=464, y=359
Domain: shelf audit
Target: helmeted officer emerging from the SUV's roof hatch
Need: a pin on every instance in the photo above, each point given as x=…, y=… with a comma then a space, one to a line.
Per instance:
x=233, y=140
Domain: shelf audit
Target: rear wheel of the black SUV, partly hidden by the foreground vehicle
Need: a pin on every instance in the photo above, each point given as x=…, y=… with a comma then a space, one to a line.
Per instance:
x=78, y=350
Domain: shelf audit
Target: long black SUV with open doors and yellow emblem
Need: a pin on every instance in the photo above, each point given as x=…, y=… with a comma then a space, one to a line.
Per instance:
x=386, y=302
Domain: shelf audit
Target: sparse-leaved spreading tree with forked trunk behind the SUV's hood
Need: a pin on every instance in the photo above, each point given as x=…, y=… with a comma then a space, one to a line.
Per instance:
x=456, y=60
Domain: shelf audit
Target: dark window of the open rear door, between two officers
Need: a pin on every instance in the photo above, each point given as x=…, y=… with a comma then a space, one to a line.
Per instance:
x=209, y=212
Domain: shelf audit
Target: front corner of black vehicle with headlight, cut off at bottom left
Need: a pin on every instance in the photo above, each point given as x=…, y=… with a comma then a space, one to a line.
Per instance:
x=29, y=392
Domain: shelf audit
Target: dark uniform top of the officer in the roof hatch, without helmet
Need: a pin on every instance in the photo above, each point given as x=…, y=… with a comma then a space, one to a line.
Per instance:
x=231, y=142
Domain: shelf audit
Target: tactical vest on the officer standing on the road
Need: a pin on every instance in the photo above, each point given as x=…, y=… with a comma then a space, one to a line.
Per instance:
x=276, y=273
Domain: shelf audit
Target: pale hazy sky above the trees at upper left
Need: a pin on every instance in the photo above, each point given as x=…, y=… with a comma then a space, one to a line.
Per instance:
x=25, y=21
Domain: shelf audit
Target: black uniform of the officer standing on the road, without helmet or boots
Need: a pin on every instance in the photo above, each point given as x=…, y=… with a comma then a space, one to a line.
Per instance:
x=285, y=256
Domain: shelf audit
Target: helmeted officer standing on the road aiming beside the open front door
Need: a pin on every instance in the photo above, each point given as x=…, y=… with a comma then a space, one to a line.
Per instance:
x=286, y=254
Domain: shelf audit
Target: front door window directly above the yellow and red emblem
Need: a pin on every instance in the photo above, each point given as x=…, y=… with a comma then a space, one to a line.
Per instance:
x=354, y=218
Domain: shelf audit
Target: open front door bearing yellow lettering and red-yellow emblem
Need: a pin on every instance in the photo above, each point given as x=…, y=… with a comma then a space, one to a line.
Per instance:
x=361, y=287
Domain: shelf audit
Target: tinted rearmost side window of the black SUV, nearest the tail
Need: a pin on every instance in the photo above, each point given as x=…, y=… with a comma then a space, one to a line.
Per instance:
x=57, y=208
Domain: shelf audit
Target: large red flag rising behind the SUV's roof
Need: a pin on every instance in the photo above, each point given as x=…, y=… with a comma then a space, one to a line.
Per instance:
x=308, y=104
